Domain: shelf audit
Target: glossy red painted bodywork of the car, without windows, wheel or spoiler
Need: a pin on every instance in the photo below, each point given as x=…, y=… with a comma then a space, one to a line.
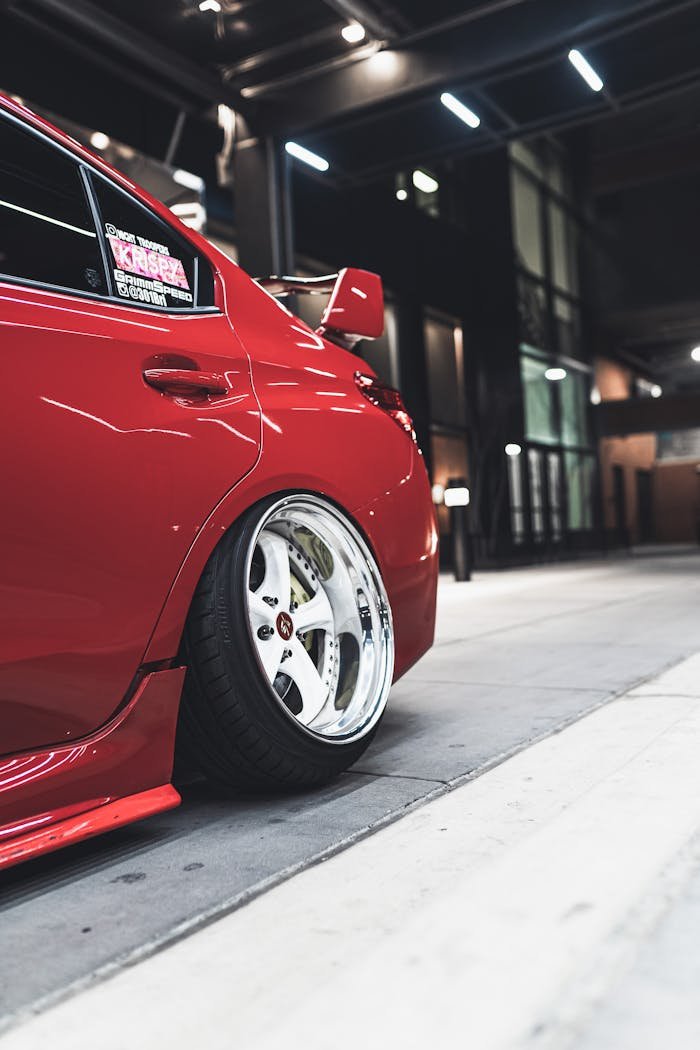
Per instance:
x=115, y=497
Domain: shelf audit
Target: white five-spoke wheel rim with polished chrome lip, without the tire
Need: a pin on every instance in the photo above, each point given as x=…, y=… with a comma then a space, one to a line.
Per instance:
x=320, y=619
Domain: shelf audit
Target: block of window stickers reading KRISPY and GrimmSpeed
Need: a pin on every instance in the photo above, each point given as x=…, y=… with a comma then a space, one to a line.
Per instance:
x=145, y=270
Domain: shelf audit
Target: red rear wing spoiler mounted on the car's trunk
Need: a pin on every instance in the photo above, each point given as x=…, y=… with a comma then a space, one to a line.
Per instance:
x=356, y=307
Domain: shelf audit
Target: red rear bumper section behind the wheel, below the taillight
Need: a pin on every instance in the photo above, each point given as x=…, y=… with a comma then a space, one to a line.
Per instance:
x=402, y=529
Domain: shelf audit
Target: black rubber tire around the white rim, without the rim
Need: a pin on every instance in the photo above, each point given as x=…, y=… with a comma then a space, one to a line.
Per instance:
x=231, y=726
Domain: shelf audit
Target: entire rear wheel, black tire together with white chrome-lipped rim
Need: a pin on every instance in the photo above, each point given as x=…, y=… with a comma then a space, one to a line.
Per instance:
x=290, y=650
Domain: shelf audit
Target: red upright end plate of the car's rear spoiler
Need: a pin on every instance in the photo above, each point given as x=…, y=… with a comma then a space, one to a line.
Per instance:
x=356, y=309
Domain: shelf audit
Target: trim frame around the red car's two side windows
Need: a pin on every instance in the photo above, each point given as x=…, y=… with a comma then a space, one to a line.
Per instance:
x=86, y=172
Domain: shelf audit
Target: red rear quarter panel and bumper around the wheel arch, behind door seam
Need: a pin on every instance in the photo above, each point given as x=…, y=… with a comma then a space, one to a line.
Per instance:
x=321, y=435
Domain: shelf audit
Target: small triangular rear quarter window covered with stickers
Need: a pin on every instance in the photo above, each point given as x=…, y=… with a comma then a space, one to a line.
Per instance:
x=151, y=264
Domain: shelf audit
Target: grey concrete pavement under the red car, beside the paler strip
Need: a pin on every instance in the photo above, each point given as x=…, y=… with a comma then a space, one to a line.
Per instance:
x=519, y=656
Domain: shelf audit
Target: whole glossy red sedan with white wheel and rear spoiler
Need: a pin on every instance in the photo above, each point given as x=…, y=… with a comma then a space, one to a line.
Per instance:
x=217, y=530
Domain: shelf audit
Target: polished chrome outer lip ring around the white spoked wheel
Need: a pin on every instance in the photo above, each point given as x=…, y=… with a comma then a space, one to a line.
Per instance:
x=372, y=711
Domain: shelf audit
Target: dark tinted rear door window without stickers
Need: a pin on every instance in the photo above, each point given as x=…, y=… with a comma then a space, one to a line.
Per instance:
x=47, y=229
